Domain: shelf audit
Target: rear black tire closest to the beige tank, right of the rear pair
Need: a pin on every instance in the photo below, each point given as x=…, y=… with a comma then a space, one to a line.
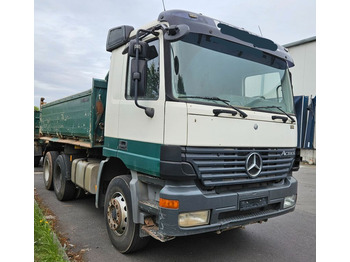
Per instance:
x=64, y=188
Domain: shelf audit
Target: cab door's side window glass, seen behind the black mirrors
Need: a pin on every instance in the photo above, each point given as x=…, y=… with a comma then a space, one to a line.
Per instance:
x=152, y=89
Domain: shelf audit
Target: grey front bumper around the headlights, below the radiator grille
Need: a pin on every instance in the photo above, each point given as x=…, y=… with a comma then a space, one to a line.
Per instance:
x=226, y=209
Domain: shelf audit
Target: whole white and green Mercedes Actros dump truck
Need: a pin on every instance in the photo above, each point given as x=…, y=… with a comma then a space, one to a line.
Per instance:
x=192, y=130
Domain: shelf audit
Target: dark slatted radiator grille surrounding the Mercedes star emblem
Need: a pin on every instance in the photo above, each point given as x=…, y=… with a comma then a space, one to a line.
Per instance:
x=227, y=166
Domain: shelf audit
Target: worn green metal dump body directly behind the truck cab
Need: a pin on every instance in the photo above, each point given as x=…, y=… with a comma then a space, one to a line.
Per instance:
x=79, y=117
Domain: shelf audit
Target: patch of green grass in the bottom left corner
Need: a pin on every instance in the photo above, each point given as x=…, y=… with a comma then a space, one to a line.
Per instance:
x=46, y=248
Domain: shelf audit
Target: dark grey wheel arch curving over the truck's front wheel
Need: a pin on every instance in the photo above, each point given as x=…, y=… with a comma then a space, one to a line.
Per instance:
x=109, y=168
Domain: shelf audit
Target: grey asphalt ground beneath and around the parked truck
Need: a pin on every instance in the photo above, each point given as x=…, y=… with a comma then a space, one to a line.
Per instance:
x=291, y=237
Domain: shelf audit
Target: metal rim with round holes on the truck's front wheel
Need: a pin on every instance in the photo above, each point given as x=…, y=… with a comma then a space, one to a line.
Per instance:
x=117, y=214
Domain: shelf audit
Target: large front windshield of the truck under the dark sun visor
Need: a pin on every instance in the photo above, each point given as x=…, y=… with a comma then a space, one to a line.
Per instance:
x=207, y=66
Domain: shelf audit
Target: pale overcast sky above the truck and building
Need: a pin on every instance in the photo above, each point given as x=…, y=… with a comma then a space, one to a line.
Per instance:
x=70, y=35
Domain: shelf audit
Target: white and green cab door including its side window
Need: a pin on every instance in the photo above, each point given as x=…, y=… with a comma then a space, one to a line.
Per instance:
x=141, y=136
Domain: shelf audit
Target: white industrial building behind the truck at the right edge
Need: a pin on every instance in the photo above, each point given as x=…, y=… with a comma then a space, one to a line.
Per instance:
x=304, y=79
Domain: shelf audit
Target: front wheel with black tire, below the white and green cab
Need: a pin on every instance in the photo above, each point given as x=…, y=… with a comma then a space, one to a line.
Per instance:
x=122, y=231
